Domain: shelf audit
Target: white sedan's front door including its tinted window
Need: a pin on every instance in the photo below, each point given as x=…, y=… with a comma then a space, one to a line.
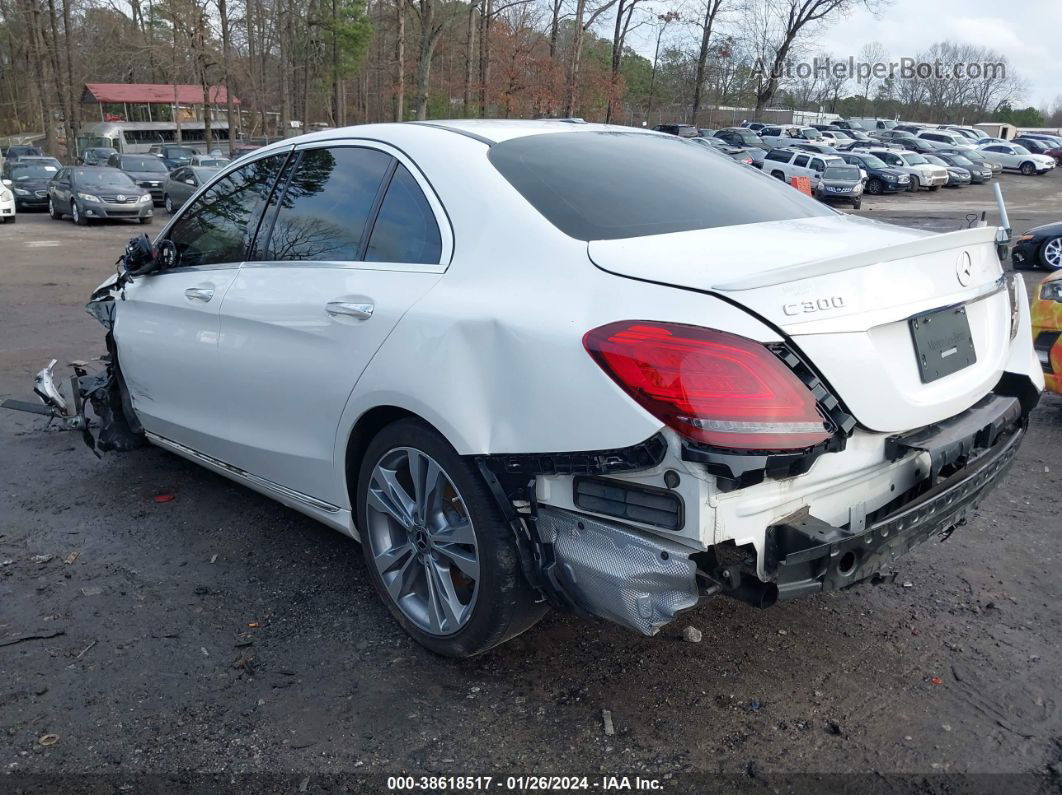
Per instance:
x=167, y=329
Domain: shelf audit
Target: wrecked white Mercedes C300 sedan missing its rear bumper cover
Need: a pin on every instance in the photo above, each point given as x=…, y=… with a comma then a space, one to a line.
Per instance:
x=536, y=365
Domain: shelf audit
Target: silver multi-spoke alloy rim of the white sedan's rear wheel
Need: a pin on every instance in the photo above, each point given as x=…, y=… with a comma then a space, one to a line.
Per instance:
x=422, y=541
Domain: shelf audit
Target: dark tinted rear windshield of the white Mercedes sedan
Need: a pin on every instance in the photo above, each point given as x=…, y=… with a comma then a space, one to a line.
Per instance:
x=606, y=186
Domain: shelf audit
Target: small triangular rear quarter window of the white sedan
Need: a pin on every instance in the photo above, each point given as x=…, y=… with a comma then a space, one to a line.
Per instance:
x=405, y=229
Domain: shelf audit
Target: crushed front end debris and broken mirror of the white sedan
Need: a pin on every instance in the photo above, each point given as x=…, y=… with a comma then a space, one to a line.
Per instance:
x=94, y=400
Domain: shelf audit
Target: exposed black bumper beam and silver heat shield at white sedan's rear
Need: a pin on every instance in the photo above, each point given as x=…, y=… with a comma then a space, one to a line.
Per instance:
x=642, y=580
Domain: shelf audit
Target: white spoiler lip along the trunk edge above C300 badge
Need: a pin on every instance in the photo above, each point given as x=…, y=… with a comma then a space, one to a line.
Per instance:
x=828, y=266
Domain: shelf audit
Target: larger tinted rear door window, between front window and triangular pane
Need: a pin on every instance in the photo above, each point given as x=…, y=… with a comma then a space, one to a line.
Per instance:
x=328, y=203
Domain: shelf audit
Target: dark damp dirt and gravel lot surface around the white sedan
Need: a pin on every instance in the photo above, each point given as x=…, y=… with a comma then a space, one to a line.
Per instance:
x=220, y=634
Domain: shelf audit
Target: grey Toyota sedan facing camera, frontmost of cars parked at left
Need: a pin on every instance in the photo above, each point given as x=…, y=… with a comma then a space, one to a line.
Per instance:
x=88, y=194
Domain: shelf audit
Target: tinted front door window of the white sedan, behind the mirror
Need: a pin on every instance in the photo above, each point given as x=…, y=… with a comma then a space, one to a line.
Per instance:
x=214, y=230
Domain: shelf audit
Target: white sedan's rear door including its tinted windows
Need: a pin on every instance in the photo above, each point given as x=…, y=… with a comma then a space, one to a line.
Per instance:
x=355, y=238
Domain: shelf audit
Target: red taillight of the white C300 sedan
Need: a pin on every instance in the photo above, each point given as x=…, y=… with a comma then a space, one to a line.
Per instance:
x=709, y=386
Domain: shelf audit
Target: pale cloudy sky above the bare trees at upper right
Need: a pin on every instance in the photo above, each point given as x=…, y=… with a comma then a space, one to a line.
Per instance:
x=1026, y=31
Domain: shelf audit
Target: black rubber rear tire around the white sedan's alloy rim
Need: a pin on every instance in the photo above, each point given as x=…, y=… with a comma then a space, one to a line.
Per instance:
x=505, y=603
